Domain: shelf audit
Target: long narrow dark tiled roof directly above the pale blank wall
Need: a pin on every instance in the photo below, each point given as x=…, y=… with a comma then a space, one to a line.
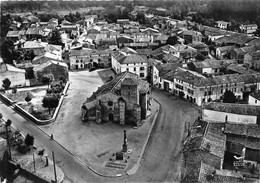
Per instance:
x=242, y=109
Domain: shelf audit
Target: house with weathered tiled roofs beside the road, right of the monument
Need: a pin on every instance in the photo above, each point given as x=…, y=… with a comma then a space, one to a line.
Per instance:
x=203, y=149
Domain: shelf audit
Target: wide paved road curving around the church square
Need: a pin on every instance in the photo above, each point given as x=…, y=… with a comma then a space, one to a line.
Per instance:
x=161, y=159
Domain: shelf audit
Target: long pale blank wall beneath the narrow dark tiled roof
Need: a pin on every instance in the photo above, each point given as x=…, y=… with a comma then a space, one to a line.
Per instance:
x=210, y=115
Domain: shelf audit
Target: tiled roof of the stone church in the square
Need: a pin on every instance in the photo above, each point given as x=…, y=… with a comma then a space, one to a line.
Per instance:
x=111, y=86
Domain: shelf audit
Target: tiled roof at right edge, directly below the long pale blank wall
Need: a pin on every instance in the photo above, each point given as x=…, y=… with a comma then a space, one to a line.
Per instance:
x=248, y=130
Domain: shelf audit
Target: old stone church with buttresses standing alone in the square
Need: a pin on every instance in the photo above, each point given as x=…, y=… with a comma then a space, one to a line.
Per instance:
x=123, y=99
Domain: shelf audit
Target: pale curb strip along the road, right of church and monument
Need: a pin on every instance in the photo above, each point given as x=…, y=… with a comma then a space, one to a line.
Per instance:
x=136, y=166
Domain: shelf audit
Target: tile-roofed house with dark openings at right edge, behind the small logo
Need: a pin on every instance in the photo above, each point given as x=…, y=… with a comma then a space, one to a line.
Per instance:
x=243, y=141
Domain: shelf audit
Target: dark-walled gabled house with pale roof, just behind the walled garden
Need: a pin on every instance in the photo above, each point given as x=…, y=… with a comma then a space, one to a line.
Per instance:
x=56, y=68
